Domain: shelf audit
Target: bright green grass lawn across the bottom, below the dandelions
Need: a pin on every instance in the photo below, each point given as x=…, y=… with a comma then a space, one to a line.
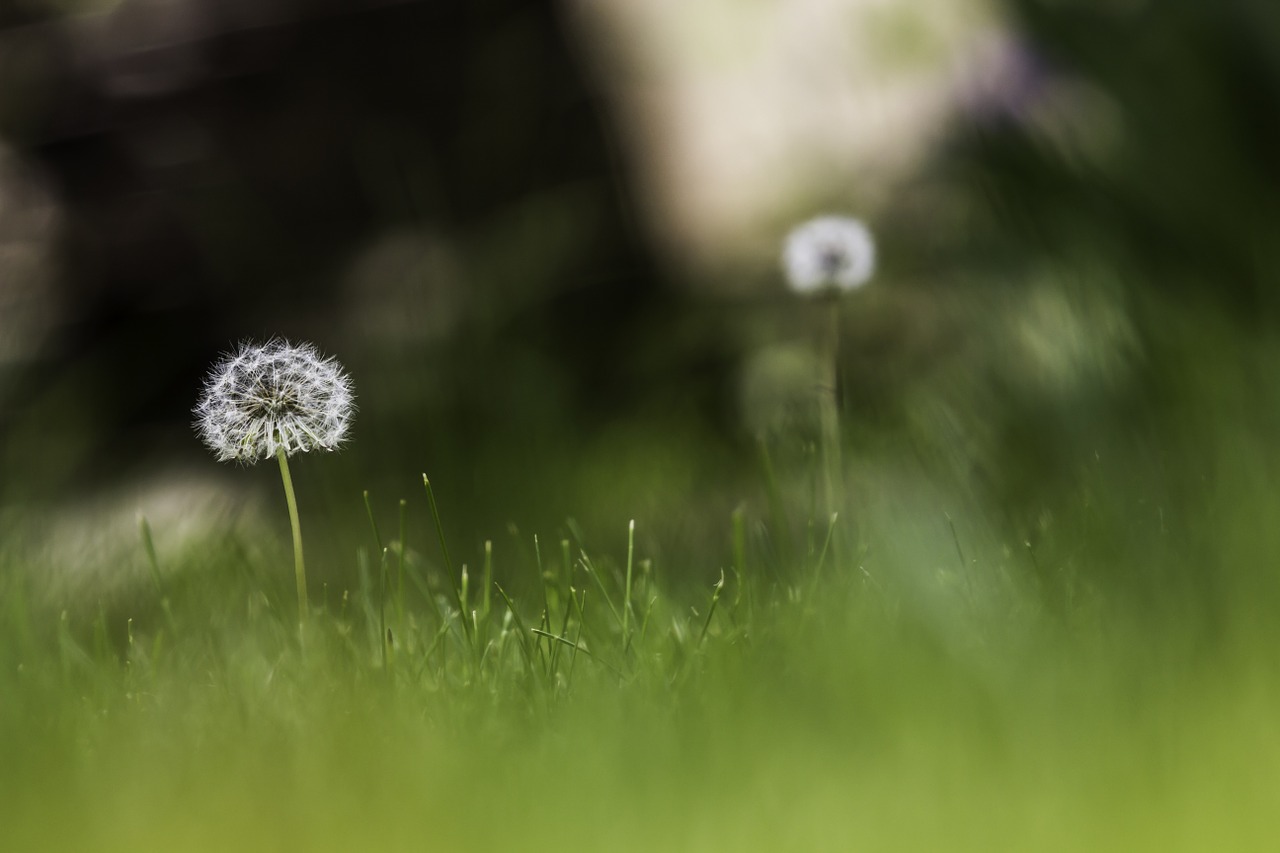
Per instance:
x=849, y=701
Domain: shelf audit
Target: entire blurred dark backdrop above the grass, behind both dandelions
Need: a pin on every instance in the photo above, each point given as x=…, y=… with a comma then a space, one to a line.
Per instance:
x=543, y=238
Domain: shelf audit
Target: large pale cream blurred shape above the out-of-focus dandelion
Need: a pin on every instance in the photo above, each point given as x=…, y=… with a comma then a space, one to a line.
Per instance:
x=740, y=116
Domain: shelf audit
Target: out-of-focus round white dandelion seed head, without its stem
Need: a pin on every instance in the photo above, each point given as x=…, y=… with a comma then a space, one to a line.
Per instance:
x=829, y=254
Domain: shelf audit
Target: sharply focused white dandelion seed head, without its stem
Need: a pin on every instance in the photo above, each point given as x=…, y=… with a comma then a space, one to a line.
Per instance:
x=275, y=396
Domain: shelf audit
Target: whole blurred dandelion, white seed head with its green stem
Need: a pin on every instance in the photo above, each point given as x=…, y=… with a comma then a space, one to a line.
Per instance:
x=825, y=258
